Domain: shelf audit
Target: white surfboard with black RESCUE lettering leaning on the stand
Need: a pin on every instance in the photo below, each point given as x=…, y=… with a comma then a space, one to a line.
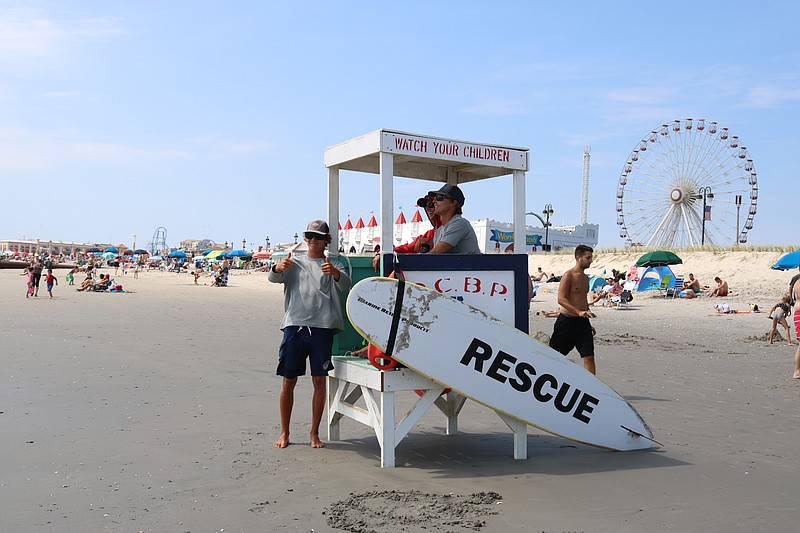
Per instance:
x=495, y=364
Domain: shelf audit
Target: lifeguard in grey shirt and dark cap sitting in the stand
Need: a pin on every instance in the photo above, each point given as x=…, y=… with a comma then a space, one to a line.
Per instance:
x=456, y=235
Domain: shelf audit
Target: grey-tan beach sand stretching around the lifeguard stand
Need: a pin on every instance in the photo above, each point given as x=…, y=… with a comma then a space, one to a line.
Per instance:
x=156, y=410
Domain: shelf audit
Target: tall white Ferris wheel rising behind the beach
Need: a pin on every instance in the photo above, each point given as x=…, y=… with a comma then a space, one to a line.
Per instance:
x=687, y=183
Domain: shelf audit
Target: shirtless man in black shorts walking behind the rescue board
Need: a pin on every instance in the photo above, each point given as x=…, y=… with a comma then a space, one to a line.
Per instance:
x=572, y=328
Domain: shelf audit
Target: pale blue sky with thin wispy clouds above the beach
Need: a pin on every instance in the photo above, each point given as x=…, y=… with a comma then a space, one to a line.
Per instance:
x=211, y=118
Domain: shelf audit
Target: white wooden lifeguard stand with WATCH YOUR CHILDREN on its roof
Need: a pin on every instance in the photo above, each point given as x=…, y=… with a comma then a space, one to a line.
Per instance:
x=390, y=153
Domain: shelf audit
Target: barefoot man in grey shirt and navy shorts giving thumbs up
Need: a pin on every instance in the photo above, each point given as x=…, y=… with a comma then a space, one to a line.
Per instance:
x=313, y=315
